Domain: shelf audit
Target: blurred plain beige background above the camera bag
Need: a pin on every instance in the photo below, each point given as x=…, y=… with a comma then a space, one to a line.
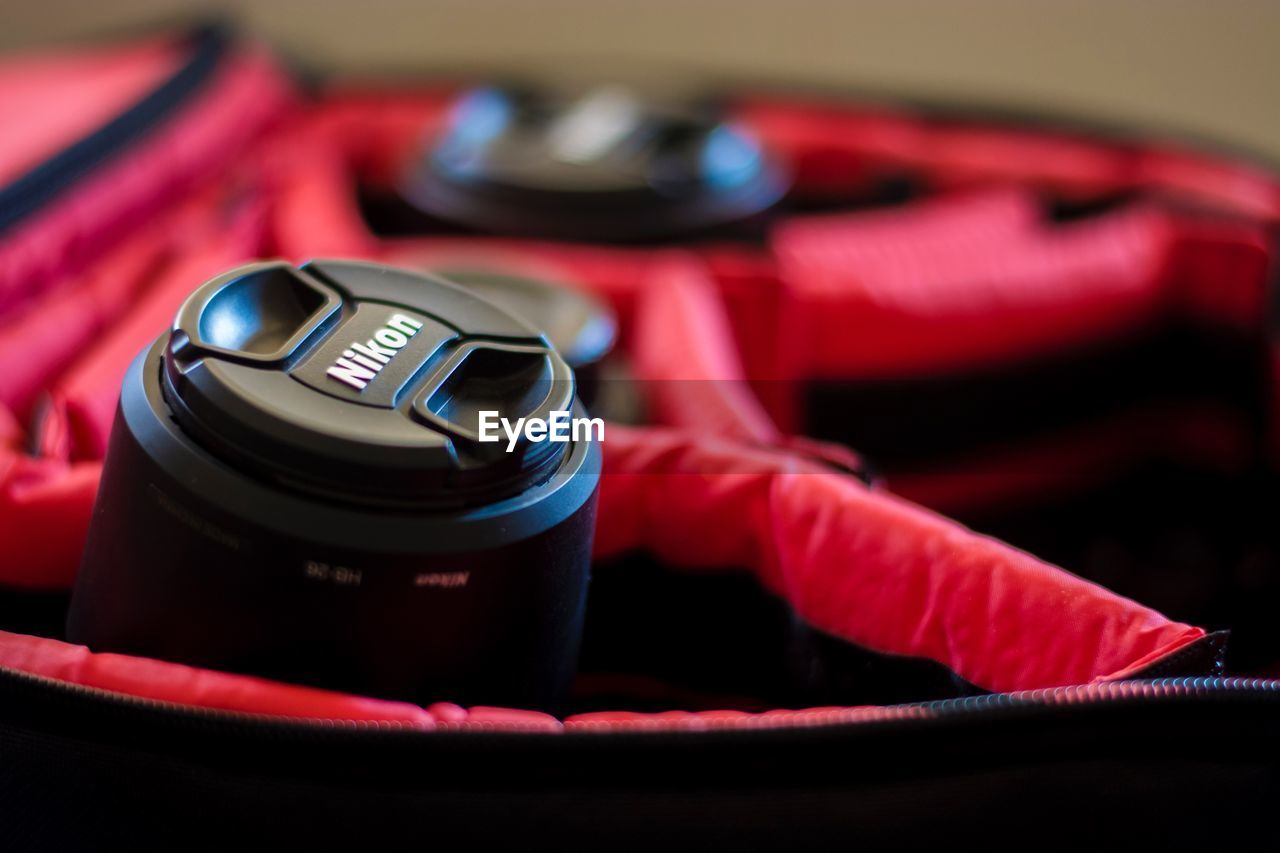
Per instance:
x=1206, y=67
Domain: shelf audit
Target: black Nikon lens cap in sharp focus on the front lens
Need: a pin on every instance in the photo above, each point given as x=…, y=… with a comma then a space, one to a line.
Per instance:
x=364, y=382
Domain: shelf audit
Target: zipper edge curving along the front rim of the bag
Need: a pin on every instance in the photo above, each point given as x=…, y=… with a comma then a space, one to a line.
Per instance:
x=1085, y=695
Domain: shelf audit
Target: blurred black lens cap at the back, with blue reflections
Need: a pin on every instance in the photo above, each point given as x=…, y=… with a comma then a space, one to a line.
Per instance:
x=600, y=165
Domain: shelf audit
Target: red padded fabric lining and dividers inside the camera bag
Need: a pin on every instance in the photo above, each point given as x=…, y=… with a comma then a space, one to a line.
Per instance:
x=854, y=563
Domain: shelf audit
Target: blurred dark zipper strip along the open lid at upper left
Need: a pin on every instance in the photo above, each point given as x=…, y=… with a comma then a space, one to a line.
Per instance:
x=44, y=184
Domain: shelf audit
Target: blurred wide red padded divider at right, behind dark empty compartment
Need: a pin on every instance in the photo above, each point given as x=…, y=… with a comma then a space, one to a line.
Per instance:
x=964, y=284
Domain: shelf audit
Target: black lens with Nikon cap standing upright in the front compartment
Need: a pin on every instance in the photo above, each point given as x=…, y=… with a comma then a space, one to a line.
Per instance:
x=322, y=476
